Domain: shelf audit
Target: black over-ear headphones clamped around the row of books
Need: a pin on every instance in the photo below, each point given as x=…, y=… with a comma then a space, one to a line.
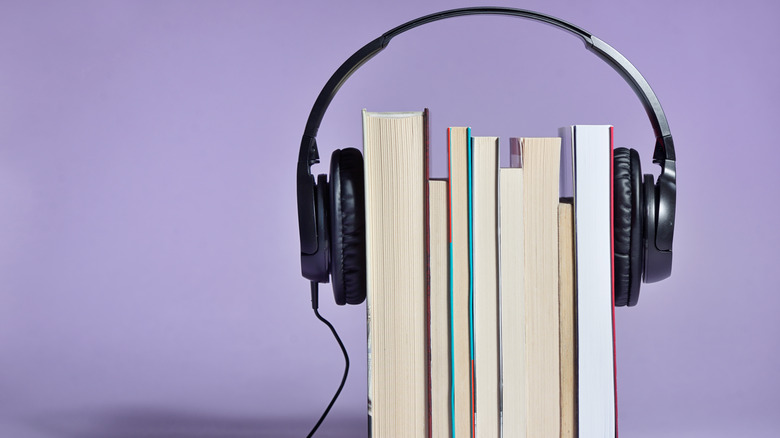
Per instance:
x=331, y=212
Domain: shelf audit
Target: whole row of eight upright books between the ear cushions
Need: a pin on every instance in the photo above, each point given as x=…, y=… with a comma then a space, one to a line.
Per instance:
x=490, y=292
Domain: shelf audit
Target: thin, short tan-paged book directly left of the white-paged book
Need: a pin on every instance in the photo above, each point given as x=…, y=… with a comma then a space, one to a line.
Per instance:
x=567, y=302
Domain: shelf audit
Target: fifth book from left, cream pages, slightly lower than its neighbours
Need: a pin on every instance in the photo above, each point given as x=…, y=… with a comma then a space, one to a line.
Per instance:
x=512, y=298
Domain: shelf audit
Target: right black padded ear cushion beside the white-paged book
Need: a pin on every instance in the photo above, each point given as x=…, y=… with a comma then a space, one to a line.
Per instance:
x=627, y=226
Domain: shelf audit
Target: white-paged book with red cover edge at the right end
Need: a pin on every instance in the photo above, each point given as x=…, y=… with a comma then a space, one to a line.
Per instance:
x=588, y=178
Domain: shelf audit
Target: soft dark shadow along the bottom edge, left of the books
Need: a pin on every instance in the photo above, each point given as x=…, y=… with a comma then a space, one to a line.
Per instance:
x=151, y=423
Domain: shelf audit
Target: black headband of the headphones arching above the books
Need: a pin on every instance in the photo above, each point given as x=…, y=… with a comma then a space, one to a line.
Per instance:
x=663, y=154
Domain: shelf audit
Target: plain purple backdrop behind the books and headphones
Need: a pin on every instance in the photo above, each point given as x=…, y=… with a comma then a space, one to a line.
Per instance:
x=149, y=274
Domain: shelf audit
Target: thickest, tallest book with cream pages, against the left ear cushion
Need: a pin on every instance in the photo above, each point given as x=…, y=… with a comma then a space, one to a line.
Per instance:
x=395, y=162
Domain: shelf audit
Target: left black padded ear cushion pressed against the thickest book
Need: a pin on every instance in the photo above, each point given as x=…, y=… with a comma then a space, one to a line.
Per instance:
x=347, y=231
